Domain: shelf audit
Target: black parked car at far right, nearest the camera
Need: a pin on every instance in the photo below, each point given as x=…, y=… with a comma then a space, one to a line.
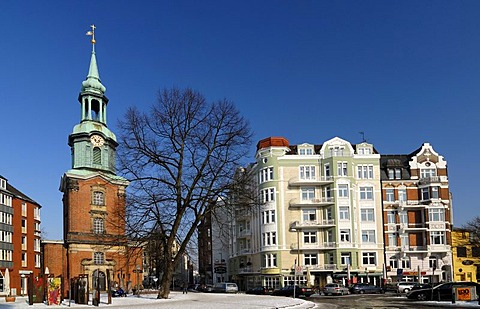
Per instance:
x=442, y=291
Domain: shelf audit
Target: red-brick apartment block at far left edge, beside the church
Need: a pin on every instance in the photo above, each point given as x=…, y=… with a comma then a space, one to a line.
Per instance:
x=19, y=239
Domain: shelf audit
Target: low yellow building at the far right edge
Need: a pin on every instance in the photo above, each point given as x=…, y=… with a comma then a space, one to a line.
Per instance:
x=466, y=257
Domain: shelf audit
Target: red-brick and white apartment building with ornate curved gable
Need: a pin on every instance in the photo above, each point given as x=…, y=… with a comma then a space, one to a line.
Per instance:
x=417, y=213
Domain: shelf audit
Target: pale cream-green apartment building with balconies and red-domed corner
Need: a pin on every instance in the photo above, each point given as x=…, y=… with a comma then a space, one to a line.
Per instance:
x=319, y=217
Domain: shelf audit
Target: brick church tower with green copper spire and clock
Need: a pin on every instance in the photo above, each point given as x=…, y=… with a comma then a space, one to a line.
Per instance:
x=93, y=195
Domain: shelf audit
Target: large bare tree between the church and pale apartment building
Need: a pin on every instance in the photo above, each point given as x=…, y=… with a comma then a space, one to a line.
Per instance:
x=180, y=157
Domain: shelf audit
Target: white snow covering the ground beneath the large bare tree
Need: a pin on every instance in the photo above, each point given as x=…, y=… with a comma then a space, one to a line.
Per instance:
x=179, y=300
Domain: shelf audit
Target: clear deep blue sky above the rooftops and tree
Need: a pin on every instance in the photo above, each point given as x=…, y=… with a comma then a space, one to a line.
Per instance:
x=403, y=72
